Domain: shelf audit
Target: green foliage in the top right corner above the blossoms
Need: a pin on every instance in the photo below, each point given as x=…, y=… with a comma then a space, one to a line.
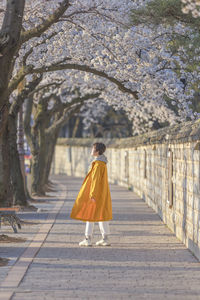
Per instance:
x=168, y=13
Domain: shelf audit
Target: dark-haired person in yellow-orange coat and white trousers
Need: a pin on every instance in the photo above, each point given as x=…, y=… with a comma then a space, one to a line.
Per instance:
x=93, y=203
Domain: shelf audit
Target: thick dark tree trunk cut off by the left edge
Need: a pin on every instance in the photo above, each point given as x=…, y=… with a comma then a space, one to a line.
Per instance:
x=9, y=43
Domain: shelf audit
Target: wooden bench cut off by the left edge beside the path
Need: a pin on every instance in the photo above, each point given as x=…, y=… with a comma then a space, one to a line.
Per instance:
x=9, y=214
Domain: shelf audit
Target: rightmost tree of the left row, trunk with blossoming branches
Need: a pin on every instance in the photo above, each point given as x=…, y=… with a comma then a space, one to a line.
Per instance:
x=50, y=111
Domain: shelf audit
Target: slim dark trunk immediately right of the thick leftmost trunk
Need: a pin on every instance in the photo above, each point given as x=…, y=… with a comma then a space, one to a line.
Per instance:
x=19, y=194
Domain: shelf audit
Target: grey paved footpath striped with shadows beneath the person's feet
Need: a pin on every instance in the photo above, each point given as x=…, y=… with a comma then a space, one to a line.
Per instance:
x=145, y=261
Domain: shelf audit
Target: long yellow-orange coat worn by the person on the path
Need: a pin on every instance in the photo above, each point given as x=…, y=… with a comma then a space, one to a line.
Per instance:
x=95, y=185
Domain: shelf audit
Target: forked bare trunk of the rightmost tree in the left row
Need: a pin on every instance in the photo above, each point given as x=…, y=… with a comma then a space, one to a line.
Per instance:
x=41, y=144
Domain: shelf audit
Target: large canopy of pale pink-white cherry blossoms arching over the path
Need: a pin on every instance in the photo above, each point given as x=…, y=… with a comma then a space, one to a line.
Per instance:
x=95, y=45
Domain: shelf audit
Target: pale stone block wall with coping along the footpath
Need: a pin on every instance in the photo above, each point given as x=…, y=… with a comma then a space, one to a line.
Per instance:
x=163, y=167
